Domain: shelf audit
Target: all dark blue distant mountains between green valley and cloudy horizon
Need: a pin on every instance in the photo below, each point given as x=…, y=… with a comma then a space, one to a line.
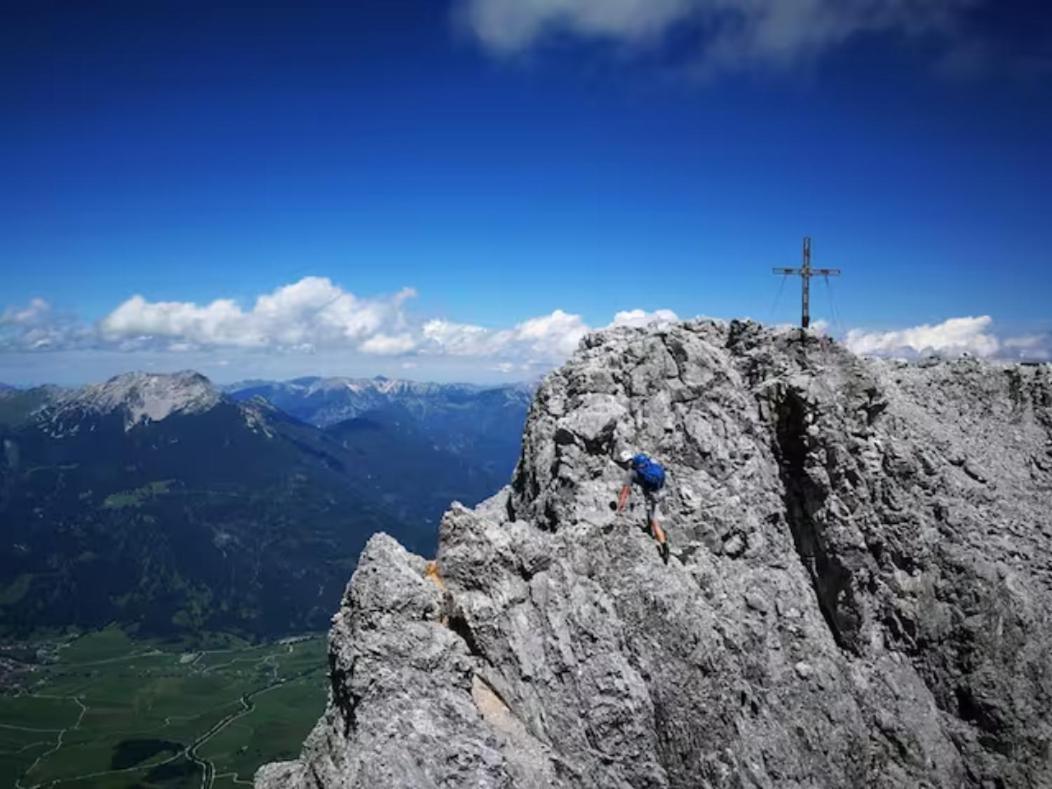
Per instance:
x=165, y=502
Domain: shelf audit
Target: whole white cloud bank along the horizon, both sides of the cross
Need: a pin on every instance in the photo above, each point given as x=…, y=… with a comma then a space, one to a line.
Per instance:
x=316, y=315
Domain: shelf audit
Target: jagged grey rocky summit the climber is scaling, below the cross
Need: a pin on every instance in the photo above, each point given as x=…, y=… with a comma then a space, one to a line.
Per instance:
x=859, y=593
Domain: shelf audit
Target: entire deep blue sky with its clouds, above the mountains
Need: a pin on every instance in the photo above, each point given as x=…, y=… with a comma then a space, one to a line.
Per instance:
x=529, y=169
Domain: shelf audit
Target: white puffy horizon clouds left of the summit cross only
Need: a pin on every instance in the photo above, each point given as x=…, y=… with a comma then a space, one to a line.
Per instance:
x=312, y=316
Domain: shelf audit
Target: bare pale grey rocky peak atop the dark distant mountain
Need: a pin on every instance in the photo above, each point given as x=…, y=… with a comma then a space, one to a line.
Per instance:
x=146, y=397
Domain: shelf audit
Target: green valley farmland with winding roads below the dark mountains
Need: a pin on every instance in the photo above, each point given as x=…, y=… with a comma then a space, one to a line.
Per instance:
x=110, y=712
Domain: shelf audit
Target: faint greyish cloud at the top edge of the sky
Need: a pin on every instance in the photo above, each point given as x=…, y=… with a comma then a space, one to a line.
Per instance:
x=732, y=34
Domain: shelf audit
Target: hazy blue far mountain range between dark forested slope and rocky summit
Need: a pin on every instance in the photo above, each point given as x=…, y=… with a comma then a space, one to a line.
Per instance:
x=419, y=446
